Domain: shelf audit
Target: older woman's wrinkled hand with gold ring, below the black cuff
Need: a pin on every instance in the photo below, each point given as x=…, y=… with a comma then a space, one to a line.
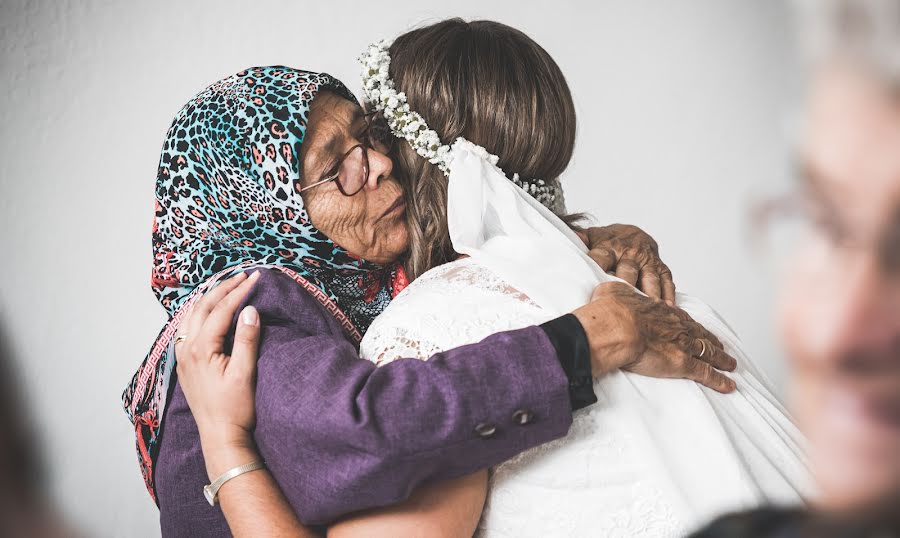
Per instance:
x=629, y=331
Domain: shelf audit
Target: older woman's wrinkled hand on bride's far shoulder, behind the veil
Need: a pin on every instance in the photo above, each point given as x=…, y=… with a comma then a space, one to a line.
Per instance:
x=631, y=254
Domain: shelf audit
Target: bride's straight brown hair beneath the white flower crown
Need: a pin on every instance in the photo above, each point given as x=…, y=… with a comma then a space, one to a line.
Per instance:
x=491, y=84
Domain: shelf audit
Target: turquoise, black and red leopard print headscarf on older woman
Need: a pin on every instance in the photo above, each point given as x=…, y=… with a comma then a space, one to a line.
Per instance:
x=227, y=200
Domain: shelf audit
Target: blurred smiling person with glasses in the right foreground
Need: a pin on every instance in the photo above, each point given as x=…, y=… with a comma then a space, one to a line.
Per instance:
x=840, y=303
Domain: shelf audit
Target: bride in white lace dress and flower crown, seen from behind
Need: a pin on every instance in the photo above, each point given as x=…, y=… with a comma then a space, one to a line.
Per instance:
x=653, y=457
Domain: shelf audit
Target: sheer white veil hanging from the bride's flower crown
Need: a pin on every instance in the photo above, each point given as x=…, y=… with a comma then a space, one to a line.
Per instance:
x=495, y=222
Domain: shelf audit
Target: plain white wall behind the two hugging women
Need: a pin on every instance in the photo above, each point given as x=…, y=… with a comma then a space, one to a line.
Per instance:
x=679, y=108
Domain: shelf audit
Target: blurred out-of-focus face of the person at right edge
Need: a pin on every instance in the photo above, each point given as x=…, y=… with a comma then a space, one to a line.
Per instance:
x=840, y=312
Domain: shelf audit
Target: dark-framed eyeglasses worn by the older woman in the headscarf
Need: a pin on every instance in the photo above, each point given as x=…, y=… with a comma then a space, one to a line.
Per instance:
x=352, y=170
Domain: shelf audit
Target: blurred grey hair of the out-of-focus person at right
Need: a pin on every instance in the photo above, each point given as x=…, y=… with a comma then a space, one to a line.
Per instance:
x=861, y=33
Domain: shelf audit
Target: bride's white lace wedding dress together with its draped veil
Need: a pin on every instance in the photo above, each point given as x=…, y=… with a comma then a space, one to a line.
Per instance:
x=652, y=457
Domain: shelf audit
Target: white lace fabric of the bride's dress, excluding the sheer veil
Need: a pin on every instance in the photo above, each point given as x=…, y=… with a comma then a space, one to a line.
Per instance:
x=588, y=483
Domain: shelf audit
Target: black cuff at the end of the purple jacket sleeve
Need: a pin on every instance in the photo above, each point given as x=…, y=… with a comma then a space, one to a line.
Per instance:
x=568, y=337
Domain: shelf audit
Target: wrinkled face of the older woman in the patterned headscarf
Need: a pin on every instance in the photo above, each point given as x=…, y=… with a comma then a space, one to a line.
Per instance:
x=370, y=224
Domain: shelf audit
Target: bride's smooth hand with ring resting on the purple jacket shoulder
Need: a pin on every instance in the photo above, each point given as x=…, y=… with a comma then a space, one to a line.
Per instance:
x=219, y=388
